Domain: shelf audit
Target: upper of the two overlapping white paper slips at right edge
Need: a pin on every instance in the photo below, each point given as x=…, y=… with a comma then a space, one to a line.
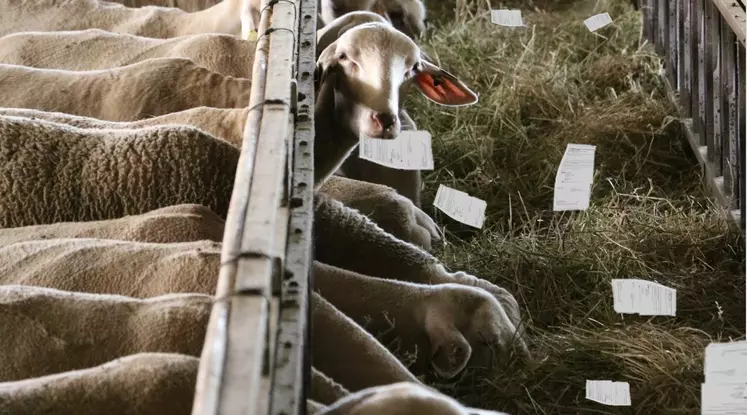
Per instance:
x=726, y=362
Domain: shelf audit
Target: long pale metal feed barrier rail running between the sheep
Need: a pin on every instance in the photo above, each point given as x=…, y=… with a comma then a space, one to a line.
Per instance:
x=254, y=360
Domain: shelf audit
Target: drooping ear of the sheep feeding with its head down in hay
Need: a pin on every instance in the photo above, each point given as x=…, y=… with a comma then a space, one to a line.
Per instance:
x=450, y=351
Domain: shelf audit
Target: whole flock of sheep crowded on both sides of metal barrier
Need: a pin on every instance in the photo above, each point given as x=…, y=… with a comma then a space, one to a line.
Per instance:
x=119, y=138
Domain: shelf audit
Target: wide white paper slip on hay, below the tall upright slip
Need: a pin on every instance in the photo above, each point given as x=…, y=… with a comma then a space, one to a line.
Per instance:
x=646, y=298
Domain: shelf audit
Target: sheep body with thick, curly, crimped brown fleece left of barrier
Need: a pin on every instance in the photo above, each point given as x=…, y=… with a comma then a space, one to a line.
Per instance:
x=57, y=173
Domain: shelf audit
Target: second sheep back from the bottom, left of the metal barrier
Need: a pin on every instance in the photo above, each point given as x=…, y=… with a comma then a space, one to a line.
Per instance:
x=47, y=331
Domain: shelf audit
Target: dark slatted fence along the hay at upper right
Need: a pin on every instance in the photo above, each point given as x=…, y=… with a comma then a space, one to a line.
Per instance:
x=703, y=42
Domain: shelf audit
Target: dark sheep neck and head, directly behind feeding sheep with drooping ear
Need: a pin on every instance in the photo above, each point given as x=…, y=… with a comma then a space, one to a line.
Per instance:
x=346, y=239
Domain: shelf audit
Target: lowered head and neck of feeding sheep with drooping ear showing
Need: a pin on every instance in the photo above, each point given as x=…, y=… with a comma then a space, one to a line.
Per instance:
x=445, y=323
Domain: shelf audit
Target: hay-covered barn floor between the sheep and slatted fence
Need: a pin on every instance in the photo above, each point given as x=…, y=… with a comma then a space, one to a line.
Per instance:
x=541, y=87
